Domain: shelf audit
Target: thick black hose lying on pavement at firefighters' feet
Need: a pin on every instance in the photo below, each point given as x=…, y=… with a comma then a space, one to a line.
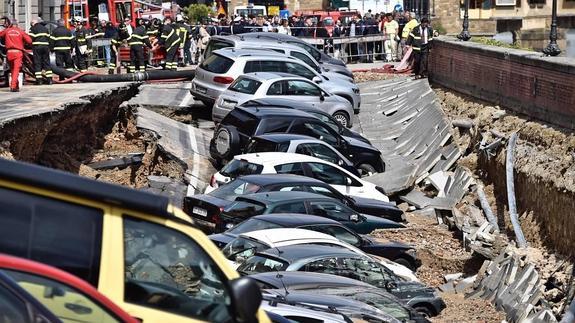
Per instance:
x=129, y=77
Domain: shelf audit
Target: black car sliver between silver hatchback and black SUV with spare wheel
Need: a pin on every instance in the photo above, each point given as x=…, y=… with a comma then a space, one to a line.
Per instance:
x=316, y=112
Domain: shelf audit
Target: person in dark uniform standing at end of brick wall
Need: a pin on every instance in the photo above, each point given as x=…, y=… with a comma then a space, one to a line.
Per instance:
x=420, y=39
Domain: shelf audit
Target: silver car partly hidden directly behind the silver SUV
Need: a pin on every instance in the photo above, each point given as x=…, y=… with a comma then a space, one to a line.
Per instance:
x=289, y=49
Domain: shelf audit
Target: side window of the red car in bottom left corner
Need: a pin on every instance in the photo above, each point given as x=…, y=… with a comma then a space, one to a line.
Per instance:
x=66, y=302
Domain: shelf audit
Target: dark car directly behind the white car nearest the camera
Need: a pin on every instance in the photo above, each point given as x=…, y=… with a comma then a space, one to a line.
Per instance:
x=396, y=251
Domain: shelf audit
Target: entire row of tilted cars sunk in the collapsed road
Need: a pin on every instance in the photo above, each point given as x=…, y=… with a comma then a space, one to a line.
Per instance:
x=288, y=206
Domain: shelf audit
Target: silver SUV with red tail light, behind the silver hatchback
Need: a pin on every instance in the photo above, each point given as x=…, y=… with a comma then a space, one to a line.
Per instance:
x=224, y=66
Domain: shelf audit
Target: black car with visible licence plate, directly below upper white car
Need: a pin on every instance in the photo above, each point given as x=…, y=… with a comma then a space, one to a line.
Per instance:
x=206, y=208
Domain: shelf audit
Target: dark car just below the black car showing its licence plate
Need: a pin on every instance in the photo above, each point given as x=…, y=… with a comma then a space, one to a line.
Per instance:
x=251, y=205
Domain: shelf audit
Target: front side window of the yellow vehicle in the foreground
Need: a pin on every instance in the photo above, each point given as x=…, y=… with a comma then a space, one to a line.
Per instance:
x=166, y=270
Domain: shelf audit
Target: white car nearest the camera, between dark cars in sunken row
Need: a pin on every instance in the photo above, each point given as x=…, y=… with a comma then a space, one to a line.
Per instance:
x=247, y=244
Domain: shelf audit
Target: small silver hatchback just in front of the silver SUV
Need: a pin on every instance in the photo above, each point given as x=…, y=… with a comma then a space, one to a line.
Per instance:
x=285, y=86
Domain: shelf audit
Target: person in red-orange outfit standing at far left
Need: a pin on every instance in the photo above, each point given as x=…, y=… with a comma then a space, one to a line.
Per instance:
x=14, y=39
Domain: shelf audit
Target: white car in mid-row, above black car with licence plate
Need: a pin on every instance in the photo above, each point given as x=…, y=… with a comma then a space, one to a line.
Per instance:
x=287, y=163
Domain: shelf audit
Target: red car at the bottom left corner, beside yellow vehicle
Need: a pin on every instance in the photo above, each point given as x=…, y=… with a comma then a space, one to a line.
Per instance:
x=69, y=298
